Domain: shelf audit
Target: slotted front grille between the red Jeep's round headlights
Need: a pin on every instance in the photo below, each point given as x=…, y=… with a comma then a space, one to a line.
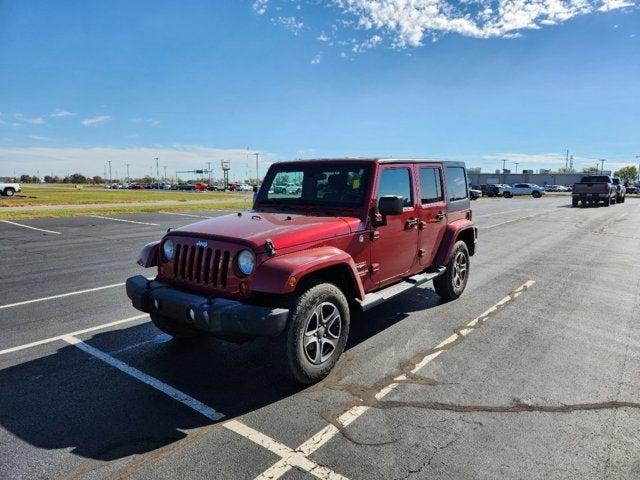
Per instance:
x=200, y=265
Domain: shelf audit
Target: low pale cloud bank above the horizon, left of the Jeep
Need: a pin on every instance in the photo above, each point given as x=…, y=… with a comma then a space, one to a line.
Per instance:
x=91, y=161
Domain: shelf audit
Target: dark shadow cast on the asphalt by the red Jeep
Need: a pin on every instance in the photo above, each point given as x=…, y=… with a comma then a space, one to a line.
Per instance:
x=71, y=400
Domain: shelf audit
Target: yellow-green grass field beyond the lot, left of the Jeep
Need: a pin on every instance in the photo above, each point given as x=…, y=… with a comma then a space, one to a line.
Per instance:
x=42, y=201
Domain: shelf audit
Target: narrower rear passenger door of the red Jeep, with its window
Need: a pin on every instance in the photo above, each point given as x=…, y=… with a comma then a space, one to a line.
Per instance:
x=432, y=212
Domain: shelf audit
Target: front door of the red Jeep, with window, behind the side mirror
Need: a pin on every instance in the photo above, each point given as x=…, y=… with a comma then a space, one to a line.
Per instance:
x=394, y=247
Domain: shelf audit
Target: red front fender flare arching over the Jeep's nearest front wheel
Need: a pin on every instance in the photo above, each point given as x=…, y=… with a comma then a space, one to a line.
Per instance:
x=272, y=276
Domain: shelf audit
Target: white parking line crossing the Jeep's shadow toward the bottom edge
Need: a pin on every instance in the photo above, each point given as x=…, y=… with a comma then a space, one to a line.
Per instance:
x=293, y=458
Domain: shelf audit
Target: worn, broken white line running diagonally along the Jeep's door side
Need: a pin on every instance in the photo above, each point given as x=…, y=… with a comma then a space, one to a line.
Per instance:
x=327, y=433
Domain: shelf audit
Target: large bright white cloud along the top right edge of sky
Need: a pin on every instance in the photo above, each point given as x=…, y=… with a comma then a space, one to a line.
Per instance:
x=408, y=22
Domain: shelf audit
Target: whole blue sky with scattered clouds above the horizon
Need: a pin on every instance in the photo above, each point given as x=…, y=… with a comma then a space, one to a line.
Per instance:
x=197, y=81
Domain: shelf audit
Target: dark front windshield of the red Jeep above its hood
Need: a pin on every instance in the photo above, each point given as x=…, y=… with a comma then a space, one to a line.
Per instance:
x=316, y=184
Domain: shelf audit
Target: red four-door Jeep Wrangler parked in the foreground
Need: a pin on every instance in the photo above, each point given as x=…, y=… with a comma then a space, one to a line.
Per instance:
x=352, y=234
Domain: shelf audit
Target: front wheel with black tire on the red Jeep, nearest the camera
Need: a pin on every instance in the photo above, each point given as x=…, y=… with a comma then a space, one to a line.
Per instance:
x=297, y=353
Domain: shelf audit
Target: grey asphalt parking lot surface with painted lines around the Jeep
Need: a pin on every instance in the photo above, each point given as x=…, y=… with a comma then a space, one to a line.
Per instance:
x=532, y=373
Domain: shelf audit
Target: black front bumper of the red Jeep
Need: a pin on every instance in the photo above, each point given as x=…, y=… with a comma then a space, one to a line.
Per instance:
x=219, y=316
